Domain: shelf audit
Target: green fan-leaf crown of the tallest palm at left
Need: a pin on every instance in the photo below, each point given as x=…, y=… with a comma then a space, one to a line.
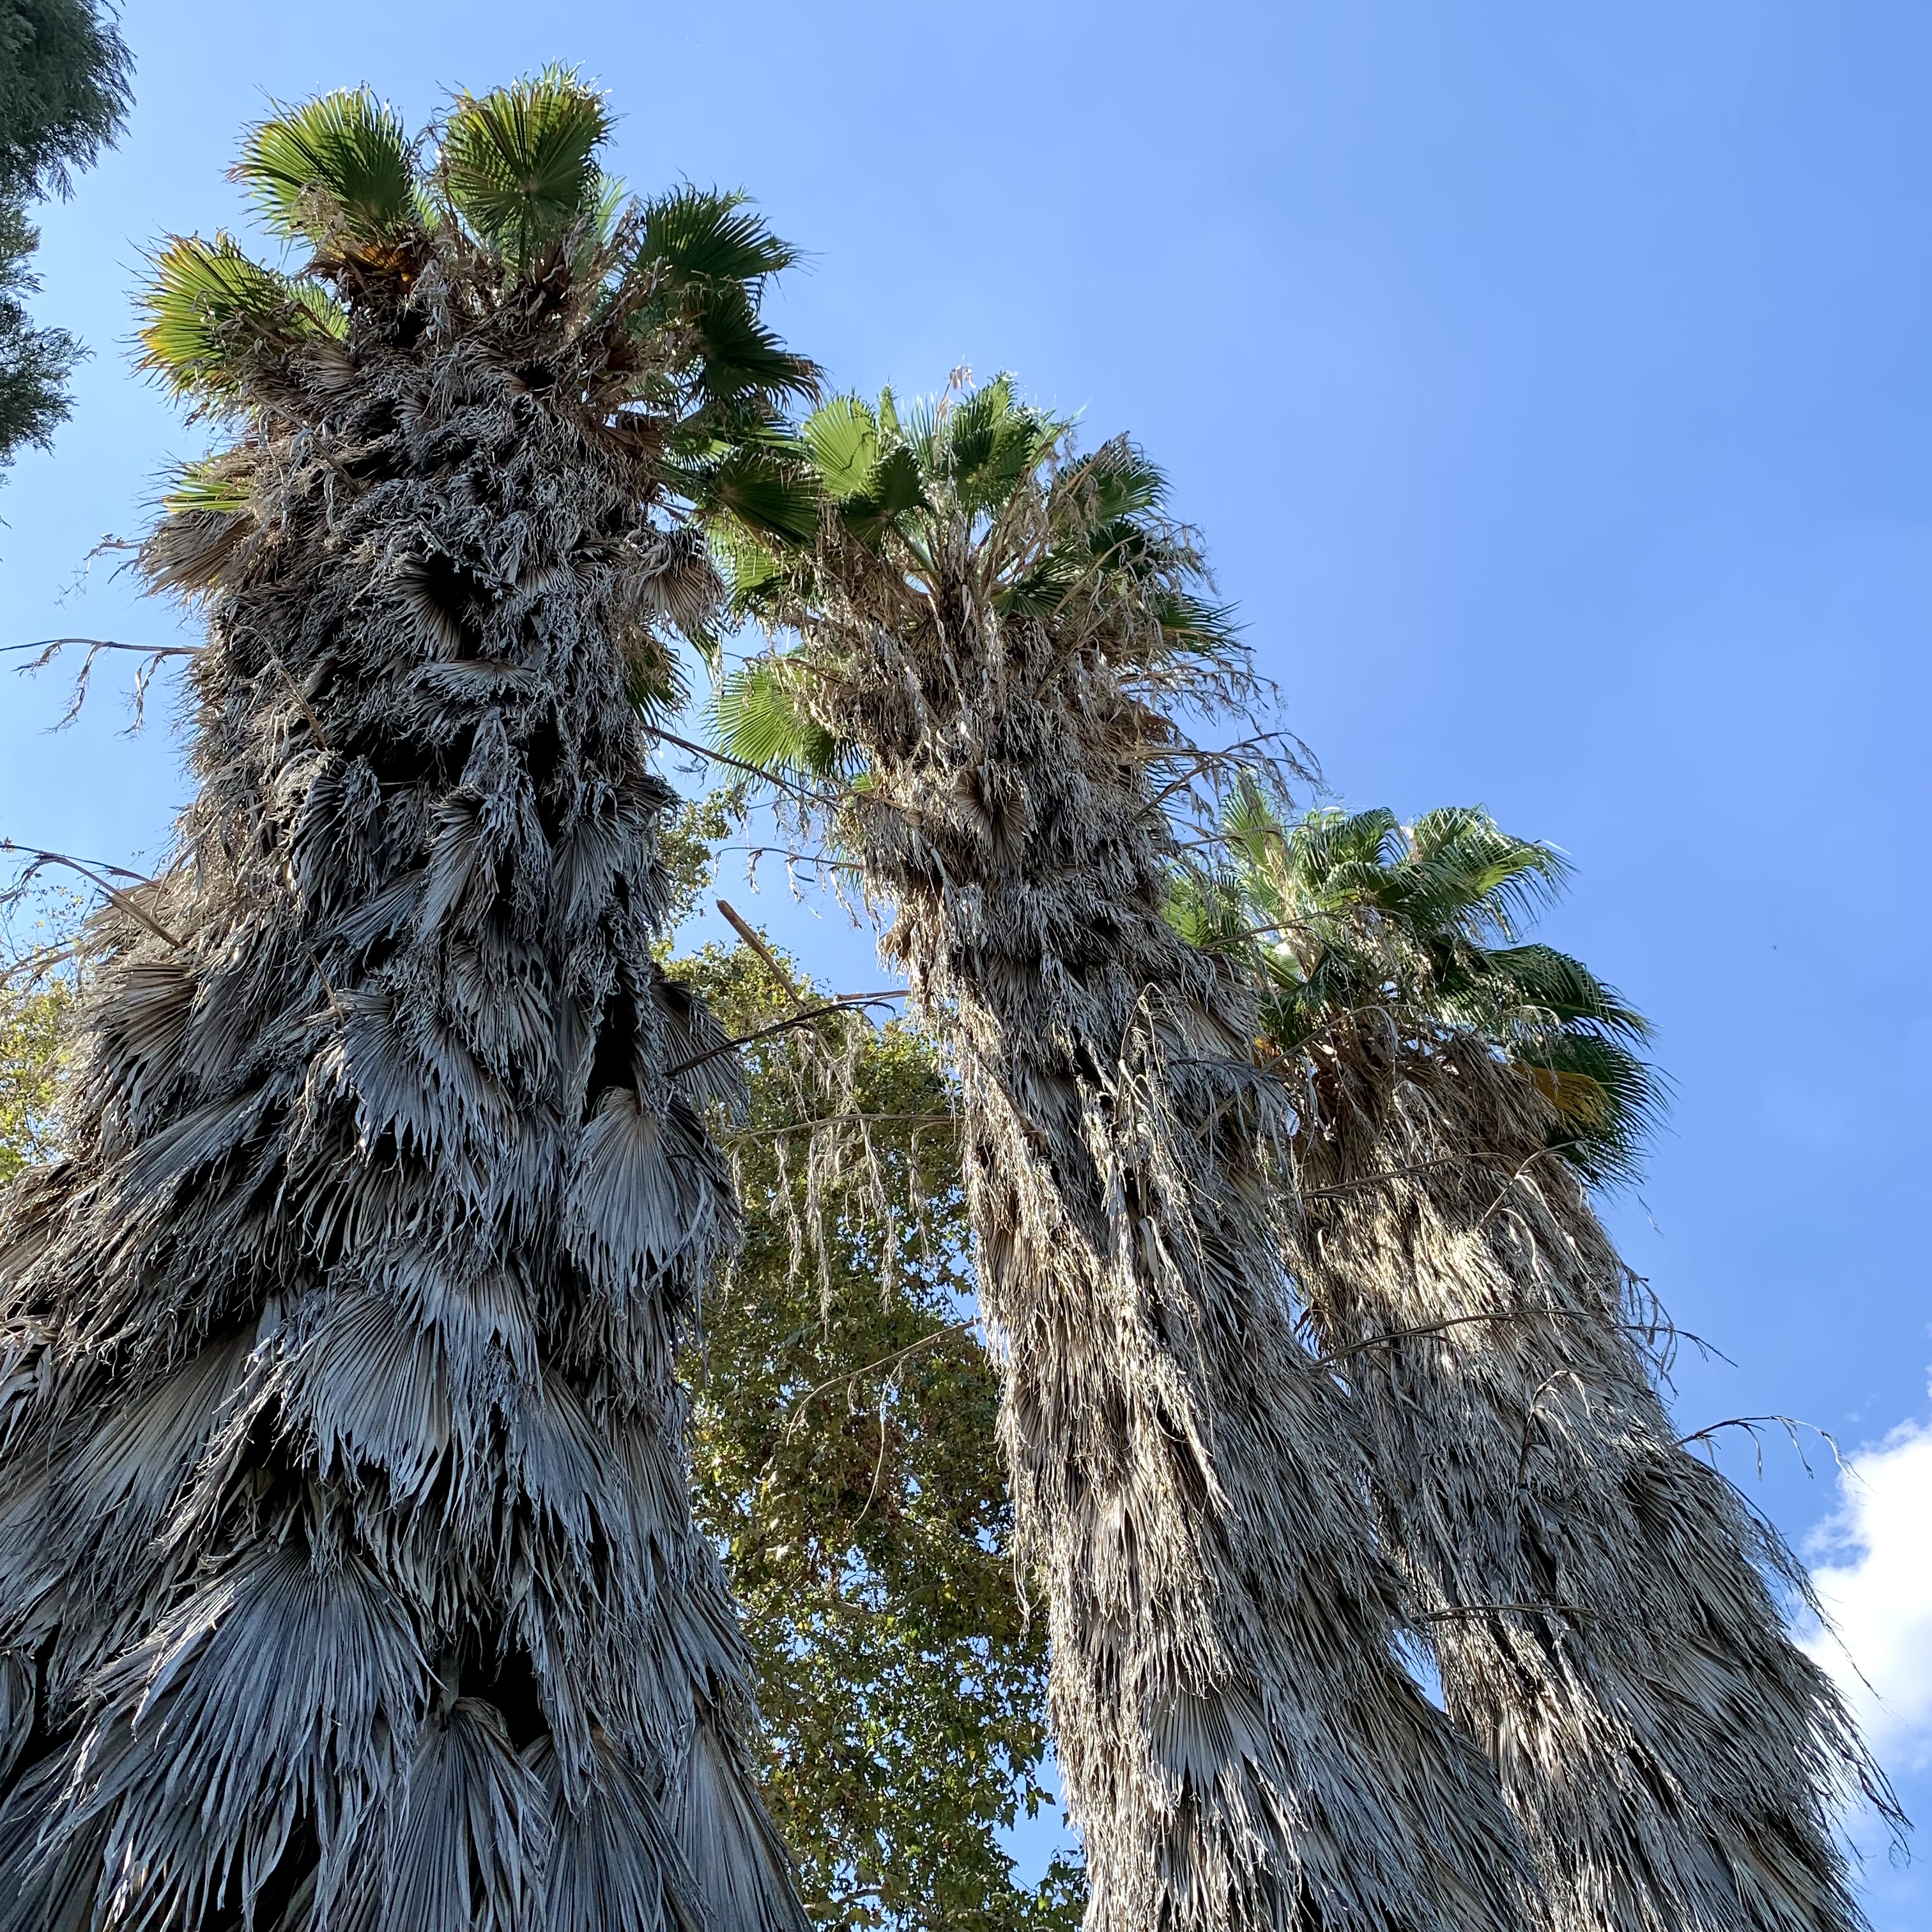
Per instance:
x=501, y=219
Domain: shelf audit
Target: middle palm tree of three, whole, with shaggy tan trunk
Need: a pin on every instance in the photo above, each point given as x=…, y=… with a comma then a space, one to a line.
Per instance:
x=994, y=639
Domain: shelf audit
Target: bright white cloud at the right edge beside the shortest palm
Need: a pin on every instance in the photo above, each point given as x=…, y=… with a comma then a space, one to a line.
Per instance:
x=1875, y=1579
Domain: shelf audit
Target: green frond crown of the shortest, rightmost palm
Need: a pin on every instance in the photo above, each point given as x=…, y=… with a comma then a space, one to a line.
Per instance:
x=1348, y=917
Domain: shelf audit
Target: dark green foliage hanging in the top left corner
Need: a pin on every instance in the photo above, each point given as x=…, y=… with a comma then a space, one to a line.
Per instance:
x=65, y=92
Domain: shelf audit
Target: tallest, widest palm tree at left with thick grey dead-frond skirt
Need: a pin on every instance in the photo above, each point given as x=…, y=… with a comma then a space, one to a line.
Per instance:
x=347, y=1562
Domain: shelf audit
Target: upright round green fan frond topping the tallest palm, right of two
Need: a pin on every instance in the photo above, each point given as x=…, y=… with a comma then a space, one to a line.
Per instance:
x=521, y=163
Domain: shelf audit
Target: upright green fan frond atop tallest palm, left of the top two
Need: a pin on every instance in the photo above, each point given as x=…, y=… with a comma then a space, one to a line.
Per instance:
x=333, y=169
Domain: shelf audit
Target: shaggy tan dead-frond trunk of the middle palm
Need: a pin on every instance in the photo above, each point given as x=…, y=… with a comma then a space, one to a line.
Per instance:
x=1241, y=1747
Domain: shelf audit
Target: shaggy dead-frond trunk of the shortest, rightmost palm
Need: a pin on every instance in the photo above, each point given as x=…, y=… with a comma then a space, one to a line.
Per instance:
x=1674, y=1761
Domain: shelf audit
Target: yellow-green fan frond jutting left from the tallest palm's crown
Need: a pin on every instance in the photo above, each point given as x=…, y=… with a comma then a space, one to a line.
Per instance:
x=213, y=312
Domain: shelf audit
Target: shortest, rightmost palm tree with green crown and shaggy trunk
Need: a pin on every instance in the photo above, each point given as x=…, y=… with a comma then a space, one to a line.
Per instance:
x=1601, y=1603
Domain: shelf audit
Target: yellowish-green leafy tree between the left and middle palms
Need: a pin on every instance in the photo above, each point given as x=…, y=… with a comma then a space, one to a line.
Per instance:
x=847, y=1463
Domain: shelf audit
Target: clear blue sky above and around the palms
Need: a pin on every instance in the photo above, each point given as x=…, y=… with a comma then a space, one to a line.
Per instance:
x=1552, y=389
